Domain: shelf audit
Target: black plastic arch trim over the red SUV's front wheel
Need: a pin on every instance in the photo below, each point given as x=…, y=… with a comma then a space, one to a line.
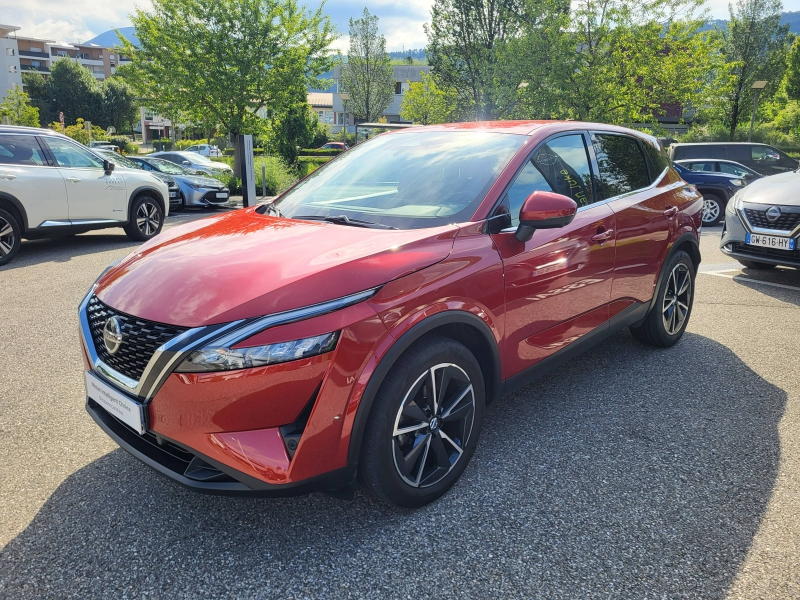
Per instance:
x=403, y=343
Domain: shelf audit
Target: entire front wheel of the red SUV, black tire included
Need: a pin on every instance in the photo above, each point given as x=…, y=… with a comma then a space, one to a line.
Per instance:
x=412, y=454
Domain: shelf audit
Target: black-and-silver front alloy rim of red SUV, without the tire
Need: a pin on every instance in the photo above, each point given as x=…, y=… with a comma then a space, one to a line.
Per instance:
x=433, y=425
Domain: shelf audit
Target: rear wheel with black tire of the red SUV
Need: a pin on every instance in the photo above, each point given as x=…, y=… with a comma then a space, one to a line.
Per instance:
x=666, y=320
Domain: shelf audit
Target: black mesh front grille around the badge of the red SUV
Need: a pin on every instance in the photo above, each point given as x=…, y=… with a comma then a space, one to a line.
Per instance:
x=140, y=338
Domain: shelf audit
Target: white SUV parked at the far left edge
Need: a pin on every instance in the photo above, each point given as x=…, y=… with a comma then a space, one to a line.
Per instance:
x=50, y=185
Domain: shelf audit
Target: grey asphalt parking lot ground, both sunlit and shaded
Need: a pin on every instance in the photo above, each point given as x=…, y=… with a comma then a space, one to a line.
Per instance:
x=628, y=473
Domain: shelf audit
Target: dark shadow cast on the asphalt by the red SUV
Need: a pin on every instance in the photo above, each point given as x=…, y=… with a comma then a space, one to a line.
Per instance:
x=631, y=472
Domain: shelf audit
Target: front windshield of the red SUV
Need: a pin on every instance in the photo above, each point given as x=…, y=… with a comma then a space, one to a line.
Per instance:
x=407, y=180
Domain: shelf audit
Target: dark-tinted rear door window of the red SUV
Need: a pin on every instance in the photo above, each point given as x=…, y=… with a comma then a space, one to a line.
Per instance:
x=621, y=163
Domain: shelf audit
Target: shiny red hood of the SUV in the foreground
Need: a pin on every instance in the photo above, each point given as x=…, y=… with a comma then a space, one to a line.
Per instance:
x=244, y=264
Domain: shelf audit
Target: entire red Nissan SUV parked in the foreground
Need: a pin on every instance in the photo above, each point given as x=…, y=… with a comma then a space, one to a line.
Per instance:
x=355, y=328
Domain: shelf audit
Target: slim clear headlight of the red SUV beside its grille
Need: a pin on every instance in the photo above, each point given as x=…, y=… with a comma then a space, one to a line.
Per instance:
x=228, y=359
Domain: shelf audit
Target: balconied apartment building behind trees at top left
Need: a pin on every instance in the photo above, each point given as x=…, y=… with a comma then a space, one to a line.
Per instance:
x=19, y=54
